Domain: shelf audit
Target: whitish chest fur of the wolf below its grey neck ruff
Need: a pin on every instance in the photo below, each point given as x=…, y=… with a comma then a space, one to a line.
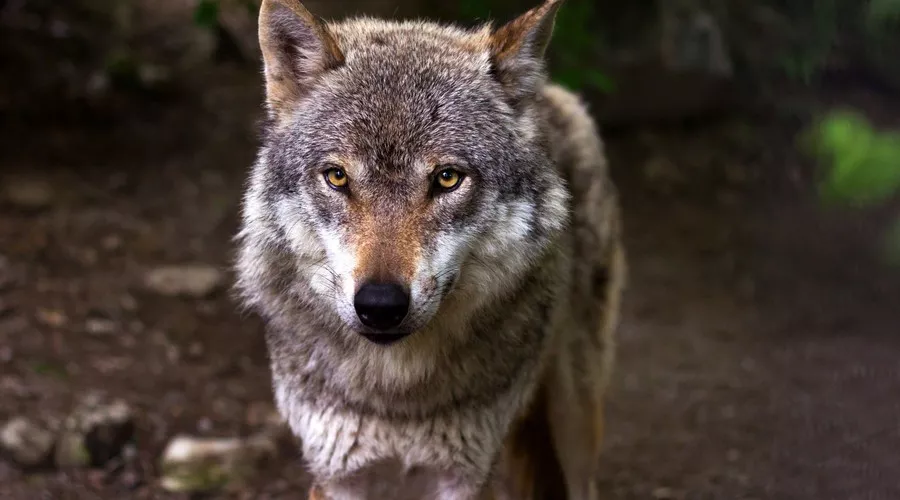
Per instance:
x=366, y=456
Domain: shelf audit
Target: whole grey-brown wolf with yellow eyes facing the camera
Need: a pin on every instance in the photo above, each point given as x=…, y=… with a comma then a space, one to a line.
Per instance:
x=432, y=238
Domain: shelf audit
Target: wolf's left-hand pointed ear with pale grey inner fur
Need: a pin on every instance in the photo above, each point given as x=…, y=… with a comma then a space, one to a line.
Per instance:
x=297, y=48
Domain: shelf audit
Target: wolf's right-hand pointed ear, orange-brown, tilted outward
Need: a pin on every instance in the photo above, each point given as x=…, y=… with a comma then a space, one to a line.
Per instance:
x=517, y=49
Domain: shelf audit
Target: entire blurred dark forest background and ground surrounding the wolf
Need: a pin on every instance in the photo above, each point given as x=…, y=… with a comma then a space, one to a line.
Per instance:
x=756, y=147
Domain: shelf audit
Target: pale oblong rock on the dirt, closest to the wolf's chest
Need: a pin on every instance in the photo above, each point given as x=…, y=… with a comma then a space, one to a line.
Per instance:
x=191, y=464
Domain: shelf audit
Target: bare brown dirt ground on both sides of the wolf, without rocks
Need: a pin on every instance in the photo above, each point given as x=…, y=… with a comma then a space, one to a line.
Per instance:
x=757, y=356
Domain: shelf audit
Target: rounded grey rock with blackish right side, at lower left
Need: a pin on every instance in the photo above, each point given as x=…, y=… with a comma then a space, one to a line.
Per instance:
x=95, y=432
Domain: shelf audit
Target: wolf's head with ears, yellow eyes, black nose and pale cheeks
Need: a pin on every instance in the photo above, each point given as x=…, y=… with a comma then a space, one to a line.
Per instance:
x=404, y=178
